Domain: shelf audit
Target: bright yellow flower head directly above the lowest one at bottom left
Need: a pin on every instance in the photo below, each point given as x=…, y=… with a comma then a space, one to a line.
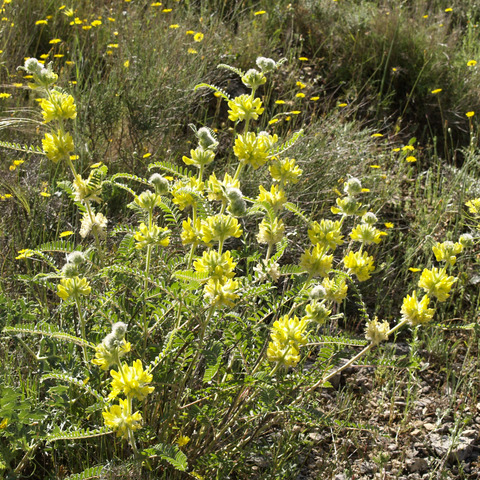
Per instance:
x=131, y=381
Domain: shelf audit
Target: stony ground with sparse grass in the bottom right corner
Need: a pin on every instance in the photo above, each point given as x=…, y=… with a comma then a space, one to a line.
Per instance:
x=401, y=423
